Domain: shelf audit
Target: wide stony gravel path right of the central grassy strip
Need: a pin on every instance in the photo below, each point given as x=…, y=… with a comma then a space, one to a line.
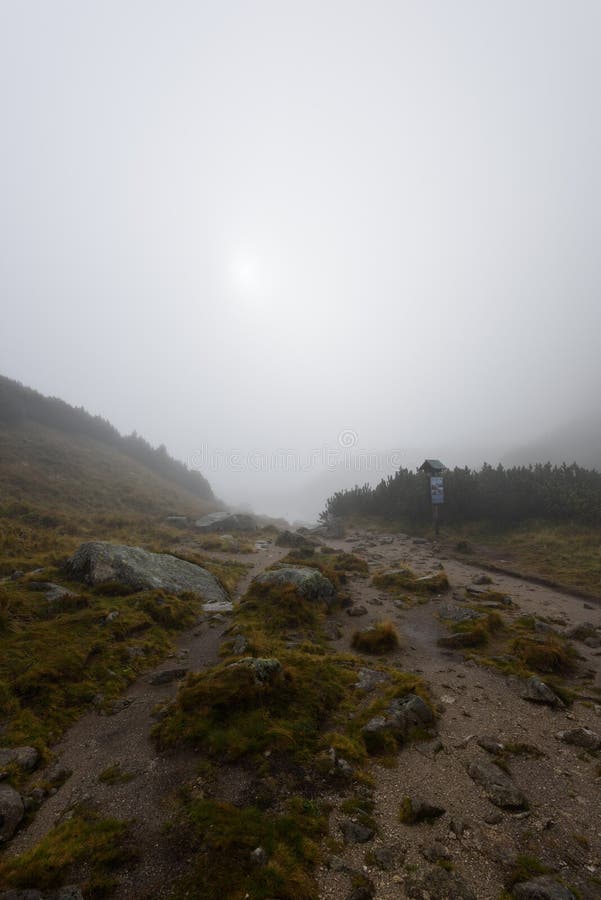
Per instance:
x=474, y=841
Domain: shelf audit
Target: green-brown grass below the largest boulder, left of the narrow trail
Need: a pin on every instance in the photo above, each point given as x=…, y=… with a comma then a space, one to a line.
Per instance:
x=55, y=664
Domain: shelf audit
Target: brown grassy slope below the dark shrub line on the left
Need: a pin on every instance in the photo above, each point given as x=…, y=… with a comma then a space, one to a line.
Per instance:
x=59, y=489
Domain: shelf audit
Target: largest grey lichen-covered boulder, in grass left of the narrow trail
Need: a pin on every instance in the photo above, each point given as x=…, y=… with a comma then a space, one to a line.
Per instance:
x=97, y=562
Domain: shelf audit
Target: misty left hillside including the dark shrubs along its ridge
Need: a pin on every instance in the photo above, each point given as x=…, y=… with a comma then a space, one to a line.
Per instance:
x=66, y=475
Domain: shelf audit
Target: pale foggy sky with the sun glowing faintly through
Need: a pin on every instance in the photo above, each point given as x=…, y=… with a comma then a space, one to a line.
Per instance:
x=256, y=226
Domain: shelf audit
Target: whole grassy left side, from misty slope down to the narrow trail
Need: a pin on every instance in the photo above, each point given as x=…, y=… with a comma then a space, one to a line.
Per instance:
x=59, y=488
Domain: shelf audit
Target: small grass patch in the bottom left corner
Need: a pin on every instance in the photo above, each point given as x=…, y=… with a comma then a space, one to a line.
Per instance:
x=86, y=848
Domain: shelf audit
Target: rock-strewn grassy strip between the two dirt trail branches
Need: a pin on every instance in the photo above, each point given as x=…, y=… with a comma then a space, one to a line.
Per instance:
x=283, y=729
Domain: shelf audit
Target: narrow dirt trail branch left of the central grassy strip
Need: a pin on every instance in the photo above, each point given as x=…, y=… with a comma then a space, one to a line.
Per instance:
x=96, y=742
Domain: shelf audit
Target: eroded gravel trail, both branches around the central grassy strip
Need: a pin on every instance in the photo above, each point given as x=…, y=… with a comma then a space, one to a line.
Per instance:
x=472, y=845
